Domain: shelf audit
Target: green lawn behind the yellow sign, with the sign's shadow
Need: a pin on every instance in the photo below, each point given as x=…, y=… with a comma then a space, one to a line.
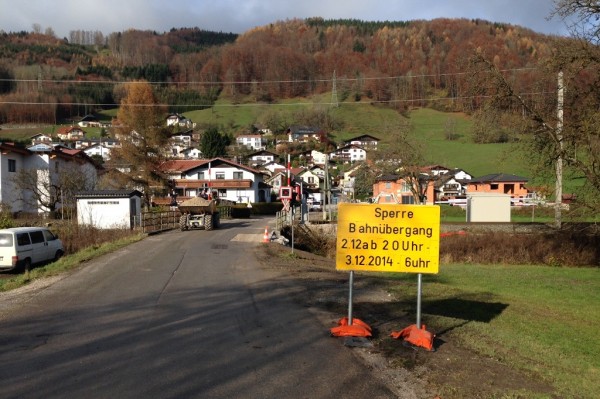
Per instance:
x=543, y=321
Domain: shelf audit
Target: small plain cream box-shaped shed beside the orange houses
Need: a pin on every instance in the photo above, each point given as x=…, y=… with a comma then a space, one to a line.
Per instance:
x=488, y=207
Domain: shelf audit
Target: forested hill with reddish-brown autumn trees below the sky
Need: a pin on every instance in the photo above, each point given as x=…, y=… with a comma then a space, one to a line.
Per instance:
x=385, y=62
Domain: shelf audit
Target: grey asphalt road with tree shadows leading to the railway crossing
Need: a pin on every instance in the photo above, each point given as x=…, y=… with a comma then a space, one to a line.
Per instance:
x=177, y=315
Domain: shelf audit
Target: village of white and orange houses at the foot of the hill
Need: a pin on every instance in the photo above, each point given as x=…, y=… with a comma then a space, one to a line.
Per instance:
x=256, y=178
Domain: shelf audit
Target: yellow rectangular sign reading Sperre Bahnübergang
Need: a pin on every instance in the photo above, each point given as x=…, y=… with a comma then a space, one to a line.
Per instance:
x=388, y=238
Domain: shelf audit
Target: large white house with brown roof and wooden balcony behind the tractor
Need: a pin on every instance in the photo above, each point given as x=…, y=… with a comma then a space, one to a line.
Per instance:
x=230, y=180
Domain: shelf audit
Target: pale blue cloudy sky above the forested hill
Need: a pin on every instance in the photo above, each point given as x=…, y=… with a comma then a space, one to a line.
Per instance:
x=238, y=16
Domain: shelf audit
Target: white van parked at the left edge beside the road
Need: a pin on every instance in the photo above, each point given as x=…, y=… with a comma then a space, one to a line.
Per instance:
x=22, y=247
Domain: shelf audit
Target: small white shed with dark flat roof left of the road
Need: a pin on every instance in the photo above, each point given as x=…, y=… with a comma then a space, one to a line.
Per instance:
x=109, y=209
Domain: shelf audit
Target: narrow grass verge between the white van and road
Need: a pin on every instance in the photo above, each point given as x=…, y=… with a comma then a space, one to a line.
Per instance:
x=68, y=262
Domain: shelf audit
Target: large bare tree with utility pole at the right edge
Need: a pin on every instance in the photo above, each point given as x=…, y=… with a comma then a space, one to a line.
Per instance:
x=575, y=140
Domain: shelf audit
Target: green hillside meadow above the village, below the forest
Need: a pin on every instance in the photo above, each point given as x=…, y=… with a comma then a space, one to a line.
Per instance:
x=428, y=125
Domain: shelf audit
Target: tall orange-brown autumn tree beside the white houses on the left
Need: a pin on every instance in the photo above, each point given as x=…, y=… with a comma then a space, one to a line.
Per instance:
x=143, y=136
